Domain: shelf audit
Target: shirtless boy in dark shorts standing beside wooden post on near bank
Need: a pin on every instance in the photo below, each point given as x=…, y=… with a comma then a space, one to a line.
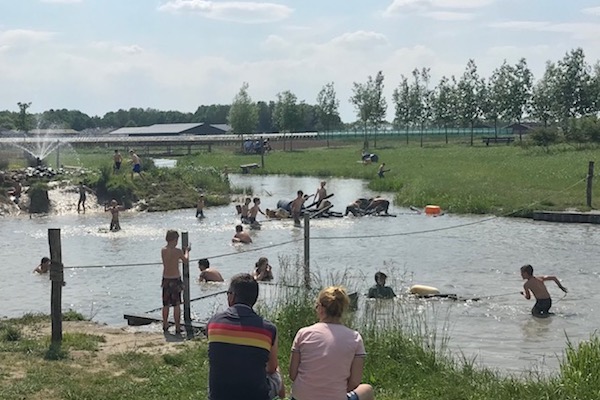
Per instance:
x=171, y=284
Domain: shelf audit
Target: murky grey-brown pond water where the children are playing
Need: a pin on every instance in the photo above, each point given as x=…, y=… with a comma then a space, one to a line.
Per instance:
x=476, y=257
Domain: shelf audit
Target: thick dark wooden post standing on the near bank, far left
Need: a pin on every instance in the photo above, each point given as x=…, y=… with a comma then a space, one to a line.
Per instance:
x=57, y=279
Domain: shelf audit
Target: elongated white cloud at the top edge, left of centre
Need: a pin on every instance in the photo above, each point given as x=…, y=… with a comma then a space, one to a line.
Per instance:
x=236, y=11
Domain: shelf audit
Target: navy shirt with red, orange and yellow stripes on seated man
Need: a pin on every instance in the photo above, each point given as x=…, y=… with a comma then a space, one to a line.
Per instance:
x=239, y=343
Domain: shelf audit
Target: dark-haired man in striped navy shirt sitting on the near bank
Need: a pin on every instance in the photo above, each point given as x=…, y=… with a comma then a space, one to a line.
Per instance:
x=242, y=348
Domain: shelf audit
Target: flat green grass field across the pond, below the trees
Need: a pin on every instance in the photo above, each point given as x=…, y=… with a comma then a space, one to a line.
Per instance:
x=497, y=179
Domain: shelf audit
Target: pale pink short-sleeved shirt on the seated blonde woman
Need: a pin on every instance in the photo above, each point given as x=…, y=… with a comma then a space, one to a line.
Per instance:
x=326, y=354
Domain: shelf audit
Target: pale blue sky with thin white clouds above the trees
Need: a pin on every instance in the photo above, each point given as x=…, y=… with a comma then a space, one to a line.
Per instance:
x=98, y=56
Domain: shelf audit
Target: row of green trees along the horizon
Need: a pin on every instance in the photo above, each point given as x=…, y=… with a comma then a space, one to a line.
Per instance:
x=568, y=90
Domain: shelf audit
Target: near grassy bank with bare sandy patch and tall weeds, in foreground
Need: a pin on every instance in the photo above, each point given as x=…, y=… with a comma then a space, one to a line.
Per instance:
x=401, y=363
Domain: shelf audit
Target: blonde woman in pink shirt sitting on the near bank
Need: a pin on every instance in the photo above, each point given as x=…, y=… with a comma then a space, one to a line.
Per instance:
x=328, y=357
